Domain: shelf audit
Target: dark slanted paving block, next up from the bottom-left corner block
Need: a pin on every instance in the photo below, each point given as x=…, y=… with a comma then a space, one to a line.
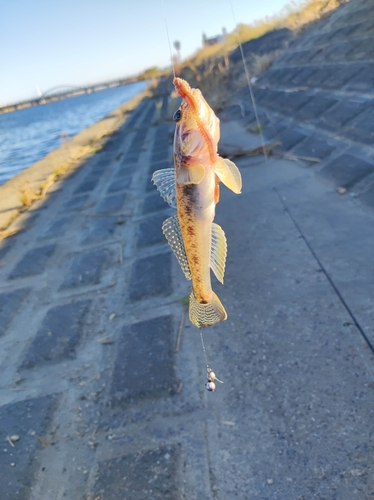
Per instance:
x=58, y=336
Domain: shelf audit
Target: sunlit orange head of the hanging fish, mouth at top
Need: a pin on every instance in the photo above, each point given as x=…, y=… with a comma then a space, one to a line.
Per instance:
x=197, y=127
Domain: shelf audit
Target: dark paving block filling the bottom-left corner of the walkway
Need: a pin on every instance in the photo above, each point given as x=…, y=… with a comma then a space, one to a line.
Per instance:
x=23, y=418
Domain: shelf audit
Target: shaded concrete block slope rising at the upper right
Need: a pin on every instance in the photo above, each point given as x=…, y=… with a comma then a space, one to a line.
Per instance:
x=323, y=88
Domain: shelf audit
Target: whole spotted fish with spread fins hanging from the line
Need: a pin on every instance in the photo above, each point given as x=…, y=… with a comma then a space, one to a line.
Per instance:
x=193, y=188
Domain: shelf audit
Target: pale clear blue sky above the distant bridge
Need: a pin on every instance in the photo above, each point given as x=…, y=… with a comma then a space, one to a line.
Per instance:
x=77, y=42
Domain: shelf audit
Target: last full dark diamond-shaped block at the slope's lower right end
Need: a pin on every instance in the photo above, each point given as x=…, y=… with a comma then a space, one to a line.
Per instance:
x=346, y=170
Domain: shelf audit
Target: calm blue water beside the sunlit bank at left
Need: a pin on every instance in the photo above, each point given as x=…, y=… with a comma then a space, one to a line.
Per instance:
x=27, y=135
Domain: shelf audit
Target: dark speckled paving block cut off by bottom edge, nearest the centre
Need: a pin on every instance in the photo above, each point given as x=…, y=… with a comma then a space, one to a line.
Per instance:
x=145, y=475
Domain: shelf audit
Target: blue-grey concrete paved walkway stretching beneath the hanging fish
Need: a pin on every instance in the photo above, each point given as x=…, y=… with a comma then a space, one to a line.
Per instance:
x=102, y=376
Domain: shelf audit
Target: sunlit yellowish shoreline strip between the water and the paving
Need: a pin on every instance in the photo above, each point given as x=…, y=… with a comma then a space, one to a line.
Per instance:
x=32, y=184
